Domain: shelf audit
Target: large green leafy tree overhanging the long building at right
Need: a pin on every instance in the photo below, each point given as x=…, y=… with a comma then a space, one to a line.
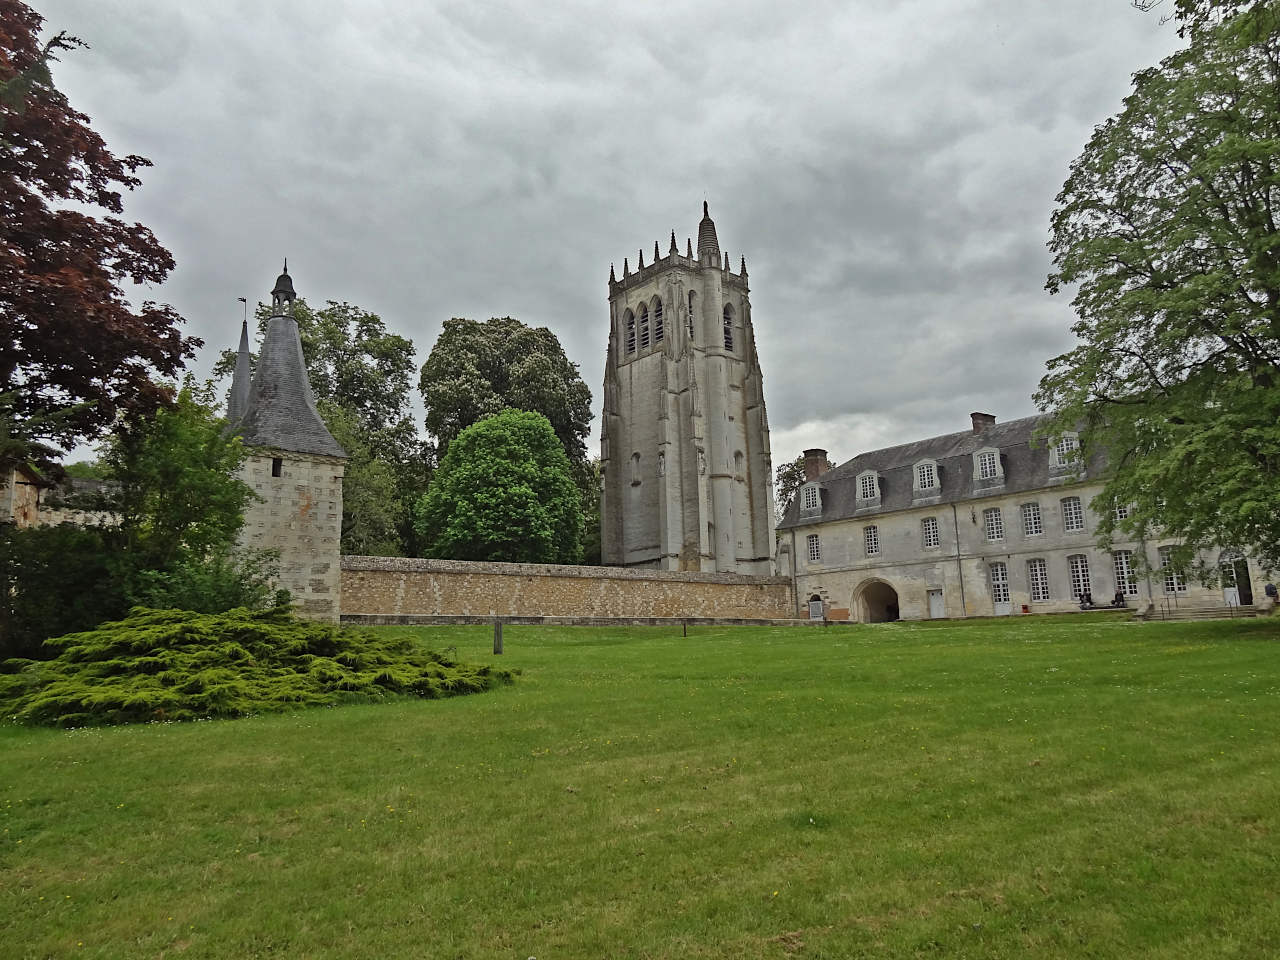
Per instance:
x=1167, y=230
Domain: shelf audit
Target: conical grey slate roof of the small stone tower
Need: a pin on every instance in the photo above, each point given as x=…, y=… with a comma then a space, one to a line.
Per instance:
x=281, y=412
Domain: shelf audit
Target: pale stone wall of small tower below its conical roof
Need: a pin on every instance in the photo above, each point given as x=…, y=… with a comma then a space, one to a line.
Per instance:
x=300, y=516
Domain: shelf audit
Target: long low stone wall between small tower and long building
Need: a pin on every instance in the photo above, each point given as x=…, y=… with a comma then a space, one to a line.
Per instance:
x=406, y=587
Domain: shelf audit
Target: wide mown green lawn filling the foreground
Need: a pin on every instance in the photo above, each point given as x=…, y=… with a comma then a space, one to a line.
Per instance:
x=1067, y=788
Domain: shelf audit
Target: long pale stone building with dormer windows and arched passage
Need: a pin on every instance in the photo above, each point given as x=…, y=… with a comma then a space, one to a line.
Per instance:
x=1022, y=541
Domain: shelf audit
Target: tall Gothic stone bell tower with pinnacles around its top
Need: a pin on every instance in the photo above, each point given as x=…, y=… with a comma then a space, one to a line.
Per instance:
x=685, y=440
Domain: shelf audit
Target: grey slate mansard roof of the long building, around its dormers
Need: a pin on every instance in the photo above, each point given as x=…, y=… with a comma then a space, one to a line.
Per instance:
x=1026, y=468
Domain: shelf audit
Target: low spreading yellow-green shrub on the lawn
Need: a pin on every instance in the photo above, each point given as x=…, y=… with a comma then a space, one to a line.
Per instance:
x=179, y=665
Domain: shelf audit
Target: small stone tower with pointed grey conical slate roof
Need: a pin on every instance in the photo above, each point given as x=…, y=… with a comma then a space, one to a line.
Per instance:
x=294, y=463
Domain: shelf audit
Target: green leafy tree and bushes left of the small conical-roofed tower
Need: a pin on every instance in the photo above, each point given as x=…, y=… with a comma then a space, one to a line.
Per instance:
x=180, y=509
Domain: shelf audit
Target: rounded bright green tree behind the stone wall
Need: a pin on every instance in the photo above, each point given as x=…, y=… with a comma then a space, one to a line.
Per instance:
x=504, y=492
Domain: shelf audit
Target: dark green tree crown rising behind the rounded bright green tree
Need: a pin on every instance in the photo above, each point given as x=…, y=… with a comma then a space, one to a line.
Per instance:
x=478, y=369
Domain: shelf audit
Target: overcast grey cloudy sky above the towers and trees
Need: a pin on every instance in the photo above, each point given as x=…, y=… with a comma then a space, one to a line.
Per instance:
x=888, y=170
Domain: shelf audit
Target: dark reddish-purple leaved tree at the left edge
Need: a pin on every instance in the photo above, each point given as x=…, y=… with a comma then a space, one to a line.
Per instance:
x=74, y=350
